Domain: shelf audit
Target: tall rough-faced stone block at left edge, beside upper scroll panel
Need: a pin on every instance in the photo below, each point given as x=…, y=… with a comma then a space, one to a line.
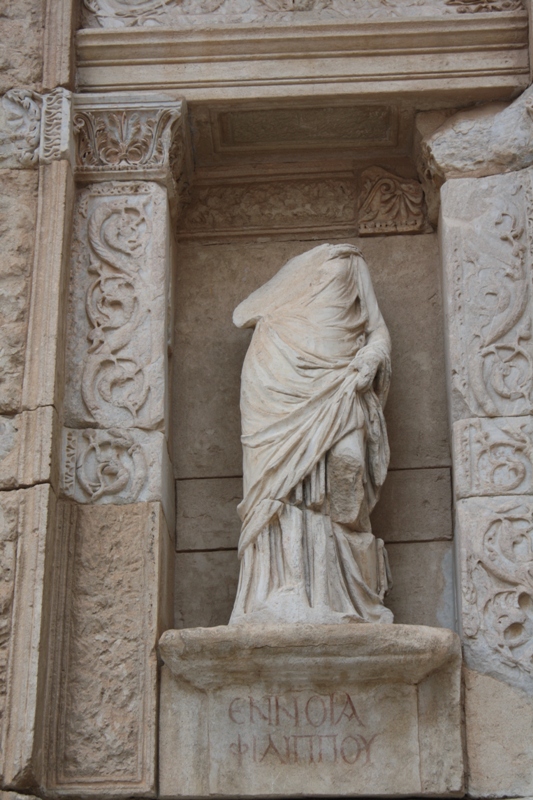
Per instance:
x=18, y=210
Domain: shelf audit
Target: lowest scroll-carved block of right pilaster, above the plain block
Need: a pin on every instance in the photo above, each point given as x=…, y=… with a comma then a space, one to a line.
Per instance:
x=496, y=562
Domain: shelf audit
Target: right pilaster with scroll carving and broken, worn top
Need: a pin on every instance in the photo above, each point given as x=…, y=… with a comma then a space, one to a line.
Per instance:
x=487, y=250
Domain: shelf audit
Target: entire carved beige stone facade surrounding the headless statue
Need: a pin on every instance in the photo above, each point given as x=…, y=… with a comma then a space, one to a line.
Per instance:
x=160, y=161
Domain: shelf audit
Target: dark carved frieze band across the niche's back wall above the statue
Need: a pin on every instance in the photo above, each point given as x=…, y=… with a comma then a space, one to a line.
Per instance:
x=387, y=205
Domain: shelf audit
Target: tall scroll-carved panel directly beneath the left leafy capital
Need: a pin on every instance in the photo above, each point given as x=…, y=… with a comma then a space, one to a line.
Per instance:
x=117, y=320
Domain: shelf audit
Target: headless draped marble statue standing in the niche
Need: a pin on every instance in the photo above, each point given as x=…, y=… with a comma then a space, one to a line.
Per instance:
x=315, y=449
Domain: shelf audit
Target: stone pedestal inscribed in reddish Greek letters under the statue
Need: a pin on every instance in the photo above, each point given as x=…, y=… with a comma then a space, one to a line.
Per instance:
x=304, y=710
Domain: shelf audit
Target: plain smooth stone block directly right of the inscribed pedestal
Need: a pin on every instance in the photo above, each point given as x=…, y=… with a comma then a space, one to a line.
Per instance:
x=498, y=726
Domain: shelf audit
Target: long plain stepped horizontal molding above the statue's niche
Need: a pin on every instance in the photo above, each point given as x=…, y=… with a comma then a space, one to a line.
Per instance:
x=444, y=58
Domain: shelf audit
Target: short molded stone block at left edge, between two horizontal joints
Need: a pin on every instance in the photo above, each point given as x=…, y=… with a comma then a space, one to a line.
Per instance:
x=29, y=448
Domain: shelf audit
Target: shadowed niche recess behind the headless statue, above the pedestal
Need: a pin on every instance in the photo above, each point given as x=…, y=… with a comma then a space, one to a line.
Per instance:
x=238, y=230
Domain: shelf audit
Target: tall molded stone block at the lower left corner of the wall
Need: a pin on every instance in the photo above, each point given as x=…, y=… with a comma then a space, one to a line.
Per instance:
x=27, y=530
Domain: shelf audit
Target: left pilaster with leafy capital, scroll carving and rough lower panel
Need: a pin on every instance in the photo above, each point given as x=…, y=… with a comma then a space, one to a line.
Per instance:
x=113, y=558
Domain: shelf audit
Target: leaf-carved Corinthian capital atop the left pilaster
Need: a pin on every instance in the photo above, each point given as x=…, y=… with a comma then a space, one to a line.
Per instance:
x=124, y=136
